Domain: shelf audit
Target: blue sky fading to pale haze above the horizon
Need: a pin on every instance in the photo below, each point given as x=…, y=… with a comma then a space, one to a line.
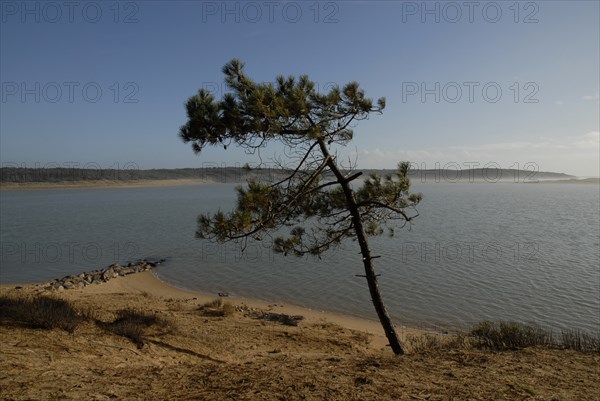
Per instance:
x=504, y=84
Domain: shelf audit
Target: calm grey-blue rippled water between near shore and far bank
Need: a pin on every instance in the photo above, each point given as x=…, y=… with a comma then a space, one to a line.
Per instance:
x=521, y=252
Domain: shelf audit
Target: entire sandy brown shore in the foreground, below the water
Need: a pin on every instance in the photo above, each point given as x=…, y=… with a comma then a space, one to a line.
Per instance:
x=235, y=353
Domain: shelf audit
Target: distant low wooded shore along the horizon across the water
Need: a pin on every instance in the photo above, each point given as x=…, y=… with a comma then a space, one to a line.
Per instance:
x=241, y=174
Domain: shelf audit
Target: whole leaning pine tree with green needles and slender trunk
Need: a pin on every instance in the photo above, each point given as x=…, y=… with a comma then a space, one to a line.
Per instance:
x=315, y=198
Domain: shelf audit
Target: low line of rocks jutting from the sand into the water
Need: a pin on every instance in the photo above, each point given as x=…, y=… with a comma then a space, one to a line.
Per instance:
x=100, y=276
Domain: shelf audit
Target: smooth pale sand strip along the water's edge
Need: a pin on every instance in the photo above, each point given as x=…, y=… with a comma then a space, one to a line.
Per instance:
x=148, y=284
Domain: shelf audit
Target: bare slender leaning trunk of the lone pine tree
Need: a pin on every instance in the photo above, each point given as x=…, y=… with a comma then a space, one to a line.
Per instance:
x=384, y=317
